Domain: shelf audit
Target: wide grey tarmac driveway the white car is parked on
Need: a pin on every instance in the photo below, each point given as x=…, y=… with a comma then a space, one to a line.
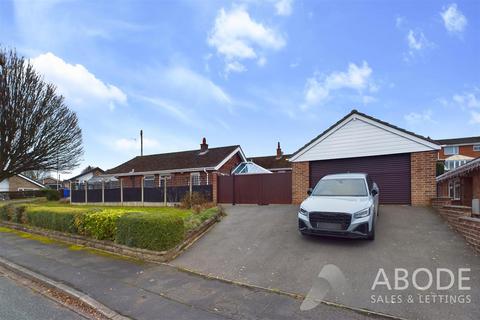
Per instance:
x=260, y=245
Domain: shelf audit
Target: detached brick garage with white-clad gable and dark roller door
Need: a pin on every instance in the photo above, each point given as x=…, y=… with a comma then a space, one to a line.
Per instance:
x=401, y=162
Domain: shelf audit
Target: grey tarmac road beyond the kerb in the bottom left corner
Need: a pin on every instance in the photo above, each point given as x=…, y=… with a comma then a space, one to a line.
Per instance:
x=18, y=302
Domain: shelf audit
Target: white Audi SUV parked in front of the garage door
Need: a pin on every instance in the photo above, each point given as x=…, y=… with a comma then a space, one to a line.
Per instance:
x=342, y=205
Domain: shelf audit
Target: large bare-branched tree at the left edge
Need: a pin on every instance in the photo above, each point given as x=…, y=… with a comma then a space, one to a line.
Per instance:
x=37, y=130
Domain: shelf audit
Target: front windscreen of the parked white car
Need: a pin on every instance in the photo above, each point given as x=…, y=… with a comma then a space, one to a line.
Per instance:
x=341, y=187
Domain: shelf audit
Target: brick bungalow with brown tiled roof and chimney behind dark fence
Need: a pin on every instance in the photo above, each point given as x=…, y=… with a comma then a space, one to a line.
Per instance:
x=184, y=168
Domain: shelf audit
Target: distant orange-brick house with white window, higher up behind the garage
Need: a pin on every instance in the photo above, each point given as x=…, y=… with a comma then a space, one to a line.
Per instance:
x=458, y=151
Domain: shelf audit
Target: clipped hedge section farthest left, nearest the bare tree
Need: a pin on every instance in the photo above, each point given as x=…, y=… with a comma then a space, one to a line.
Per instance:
x=54, y=218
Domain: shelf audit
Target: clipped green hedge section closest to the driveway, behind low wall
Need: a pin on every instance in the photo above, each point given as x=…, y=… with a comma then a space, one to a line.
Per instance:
x=150, y=231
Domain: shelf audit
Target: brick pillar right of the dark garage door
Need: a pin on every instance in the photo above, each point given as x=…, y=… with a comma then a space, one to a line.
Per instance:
x=423, y=185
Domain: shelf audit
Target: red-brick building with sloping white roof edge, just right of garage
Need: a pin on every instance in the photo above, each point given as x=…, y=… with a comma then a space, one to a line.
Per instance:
x=461, y=185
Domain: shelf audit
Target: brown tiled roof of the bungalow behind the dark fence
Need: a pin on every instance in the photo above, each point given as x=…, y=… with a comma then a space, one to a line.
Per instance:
x=175, y=160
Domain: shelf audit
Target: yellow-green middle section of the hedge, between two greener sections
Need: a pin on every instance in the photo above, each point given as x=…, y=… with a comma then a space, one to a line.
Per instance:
x=100, y=225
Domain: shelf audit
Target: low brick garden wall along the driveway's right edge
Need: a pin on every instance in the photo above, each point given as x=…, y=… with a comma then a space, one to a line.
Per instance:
x=459, y=218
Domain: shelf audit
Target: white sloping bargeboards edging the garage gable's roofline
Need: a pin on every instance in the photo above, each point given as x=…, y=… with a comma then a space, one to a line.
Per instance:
x=428, y=144
